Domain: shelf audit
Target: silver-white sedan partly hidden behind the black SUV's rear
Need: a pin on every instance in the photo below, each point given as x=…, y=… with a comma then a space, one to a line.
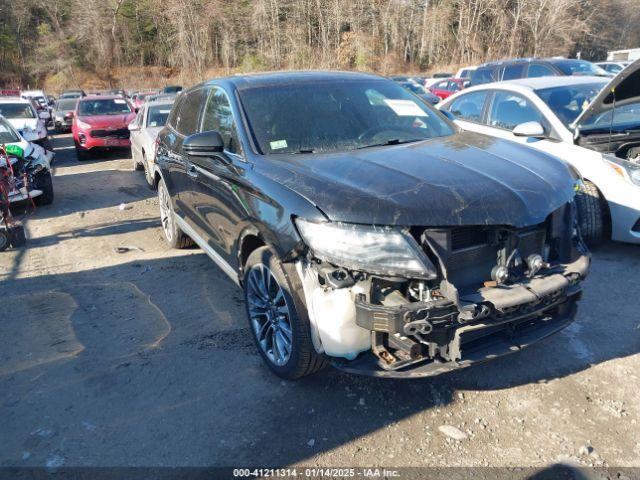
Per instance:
x=144, y=130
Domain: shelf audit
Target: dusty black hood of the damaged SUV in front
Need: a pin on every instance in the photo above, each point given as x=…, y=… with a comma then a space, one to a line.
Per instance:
x=463, y=179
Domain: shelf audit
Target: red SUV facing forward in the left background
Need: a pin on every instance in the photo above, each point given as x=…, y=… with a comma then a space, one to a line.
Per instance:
x=101, y=122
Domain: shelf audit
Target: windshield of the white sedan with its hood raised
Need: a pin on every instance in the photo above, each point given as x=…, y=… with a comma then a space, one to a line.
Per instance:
x=568, y=102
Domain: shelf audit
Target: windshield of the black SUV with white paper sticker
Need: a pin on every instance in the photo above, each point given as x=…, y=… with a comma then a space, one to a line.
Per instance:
x=323, y=116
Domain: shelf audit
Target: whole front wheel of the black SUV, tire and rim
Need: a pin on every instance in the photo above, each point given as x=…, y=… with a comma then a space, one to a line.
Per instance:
x=277, y=316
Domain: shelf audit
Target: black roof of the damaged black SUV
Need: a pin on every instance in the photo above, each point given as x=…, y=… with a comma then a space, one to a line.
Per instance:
x=298, y=77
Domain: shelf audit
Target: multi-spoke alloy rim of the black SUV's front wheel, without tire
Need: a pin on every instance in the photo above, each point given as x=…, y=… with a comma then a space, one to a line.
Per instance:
x=269, y=314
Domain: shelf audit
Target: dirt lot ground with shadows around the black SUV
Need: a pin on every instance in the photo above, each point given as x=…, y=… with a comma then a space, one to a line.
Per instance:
x=143, y=358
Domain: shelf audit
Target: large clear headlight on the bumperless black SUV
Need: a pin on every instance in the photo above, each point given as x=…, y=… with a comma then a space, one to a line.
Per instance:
x=376, y=250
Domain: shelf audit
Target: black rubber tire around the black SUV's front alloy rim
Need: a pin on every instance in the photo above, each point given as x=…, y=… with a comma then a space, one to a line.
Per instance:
x=303, y=359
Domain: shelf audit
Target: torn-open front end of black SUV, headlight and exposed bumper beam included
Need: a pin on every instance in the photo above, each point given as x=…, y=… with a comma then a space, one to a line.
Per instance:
x=422, y=301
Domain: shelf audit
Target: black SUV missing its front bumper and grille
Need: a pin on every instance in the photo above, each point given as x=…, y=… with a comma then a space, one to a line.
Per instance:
x=365, y=229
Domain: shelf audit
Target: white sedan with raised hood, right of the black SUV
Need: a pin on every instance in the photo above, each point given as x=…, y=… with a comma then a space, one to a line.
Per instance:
x=592, y=124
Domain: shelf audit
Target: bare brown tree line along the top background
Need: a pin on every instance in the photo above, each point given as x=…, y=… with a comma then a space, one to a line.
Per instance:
x=44, y=38
